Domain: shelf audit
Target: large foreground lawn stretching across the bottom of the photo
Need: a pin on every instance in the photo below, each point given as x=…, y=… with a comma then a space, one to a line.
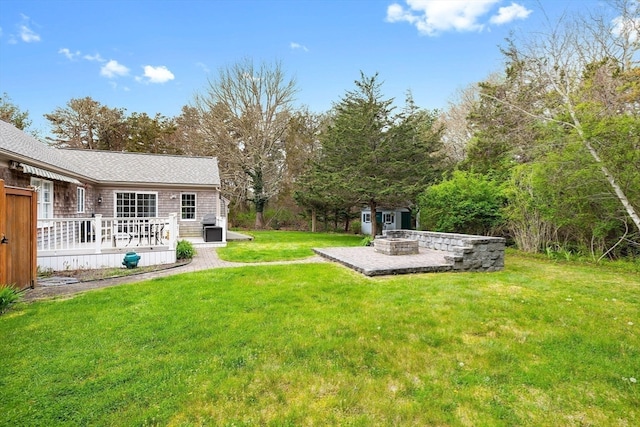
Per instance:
x=539, y=343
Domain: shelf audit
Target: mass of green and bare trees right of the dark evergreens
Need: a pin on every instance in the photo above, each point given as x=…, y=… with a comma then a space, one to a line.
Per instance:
x=555, y=138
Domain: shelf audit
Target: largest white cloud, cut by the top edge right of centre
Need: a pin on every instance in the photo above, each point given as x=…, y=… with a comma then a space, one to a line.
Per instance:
x=435, y=17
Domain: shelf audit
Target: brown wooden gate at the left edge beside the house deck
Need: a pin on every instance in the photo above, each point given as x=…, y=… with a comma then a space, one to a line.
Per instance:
x=18, y=221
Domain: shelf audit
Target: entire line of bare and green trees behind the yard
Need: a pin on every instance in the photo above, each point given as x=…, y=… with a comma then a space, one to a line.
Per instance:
x=546, y=152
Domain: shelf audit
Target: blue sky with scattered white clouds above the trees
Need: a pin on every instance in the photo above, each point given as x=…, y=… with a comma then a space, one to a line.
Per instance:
x=153, y=56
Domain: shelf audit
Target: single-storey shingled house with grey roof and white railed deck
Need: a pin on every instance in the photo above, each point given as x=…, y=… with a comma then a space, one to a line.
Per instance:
x=94, y=206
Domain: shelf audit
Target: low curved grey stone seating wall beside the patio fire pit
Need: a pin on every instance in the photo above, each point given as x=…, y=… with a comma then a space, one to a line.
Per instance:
x=465, y=252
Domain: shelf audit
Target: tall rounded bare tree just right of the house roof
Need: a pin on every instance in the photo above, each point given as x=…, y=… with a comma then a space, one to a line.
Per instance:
x=246, y=114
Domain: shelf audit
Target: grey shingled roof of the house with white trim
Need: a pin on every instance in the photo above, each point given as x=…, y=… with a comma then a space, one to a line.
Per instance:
x=110, y=167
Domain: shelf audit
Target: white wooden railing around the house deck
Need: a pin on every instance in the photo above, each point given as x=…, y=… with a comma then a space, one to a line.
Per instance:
x=98, y=233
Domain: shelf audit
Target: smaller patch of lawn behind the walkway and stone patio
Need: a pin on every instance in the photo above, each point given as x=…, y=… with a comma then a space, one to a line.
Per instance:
x=283, y=245
